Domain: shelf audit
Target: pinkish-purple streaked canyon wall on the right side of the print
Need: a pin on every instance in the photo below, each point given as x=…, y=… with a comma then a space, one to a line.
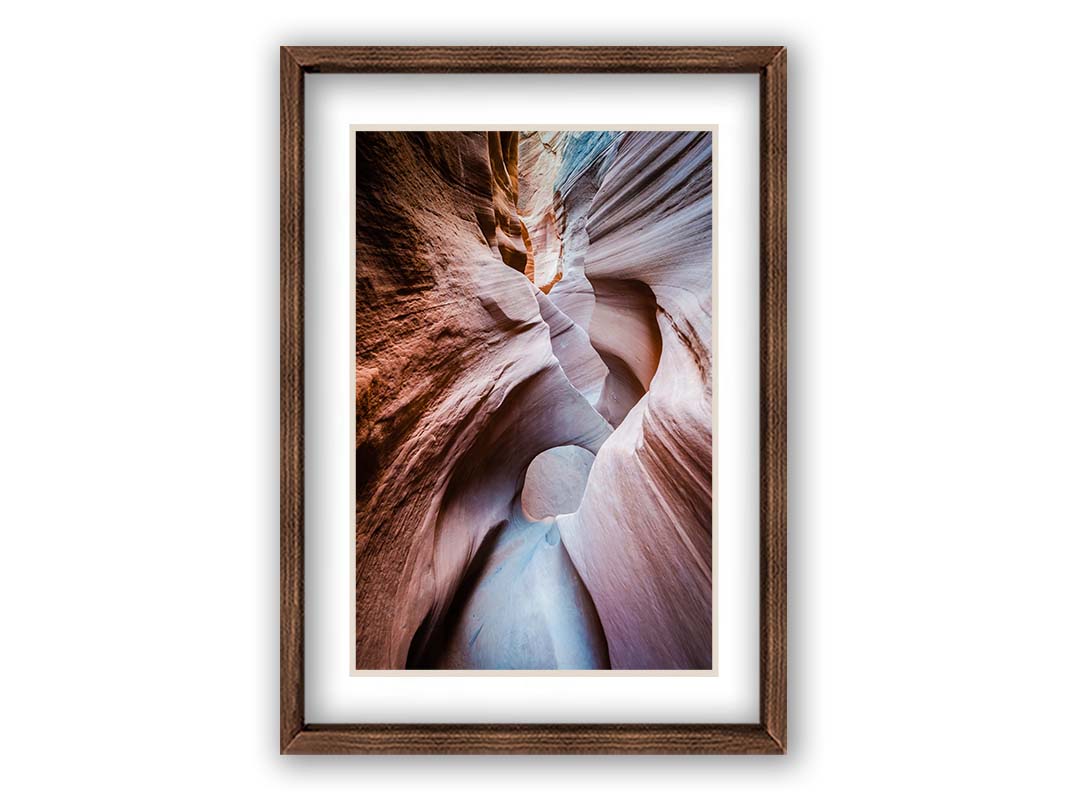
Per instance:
x=648, y=563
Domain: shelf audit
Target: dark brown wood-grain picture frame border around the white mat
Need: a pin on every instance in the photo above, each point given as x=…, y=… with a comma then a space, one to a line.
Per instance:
x=769, y=735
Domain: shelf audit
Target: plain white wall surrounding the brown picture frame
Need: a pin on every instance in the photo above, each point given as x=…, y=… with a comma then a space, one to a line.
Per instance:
x=139, y=346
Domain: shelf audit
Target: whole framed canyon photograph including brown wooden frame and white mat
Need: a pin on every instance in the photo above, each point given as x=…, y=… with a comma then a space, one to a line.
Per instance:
x=534, y=401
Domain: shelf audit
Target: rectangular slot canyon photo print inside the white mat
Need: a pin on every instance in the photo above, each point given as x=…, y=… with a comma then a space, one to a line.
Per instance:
x=534, y=452
